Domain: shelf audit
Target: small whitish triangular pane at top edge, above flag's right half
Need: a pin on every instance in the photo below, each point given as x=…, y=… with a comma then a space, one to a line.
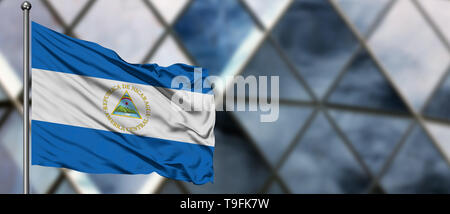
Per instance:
x=169, y=9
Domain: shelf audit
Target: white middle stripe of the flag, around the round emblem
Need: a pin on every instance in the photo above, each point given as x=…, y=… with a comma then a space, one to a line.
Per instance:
x=78, y=101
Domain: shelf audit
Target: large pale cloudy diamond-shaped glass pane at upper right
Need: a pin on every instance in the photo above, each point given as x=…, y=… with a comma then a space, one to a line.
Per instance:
x=415, y=59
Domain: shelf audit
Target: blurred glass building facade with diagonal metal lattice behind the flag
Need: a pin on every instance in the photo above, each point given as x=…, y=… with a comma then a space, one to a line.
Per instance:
x=364, y=90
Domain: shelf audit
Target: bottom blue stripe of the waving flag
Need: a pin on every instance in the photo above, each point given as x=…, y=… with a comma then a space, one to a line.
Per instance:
x=97, y=151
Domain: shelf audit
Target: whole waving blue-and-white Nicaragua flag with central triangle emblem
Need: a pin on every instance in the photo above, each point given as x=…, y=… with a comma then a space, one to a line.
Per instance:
x=93, y=112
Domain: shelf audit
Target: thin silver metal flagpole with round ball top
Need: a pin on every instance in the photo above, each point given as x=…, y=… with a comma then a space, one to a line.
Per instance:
x=26, y=7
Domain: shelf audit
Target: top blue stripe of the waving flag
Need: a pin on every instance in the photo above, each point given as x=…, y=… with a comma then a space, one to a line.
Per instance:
x=60, y=53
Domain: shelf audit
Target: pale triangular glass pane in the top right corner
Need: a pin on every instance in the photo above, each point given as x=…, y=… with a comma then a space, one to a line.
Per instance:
x=438, y=10
